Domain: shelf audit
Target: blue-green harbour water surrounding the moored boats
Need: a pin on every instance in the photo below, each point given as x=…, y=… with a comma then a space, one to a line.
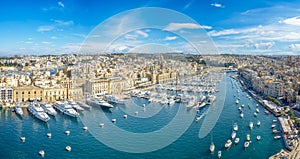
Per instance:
x=92, y=144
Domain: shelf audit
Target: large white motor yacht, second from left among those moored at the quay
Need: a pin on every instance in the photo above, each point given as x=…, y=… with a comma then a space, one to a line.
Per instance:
x=38, y=112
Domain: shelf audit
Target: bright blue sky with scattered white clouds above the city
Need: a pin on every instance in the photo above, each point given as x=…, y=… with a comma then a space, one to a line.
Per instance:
x=267, y=27
